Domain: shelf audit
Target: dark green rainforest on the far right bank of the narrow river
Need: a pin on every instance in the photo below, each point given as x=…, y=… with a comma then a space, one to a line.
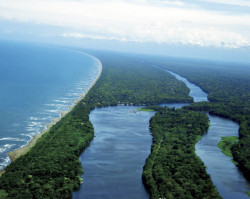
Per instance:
x=228, y=88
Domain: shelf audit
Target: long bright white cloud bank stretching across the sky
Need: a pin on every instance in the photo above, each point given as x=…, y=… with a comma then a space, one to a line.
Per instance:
x=139, y=21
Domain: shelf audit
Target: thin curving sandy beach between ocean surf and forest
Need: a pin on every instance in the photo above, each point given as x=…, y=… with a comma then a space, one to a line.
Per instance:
x=13, y=155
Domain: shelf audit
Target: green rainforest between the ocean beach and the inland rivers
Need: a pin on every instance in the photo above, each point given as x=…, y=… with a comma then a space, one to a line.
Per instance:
x=51, y=169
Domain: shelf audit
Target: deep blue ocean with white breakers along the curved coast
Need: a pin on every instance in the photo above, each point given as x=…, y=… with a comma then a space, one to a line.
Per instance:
x=36, y=84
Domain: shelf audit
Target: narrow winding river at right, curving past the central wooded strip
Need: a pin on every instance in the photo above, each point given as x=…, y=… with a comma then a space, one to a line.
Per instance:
x=226, y=176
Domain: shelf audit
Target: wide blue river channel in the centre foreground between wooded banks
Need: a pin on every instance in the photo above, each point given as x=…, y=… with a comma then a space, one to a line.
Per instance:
x=113, y=164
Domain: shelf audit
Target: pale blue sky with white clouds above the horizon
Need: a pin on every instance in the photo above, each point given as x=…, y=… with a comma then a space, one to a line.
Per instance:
x=152, y=25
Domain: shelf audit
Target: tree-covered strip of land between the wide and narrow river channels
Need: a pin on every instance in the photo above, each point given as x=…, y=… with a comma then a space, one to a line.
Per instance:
x=173, y=170
